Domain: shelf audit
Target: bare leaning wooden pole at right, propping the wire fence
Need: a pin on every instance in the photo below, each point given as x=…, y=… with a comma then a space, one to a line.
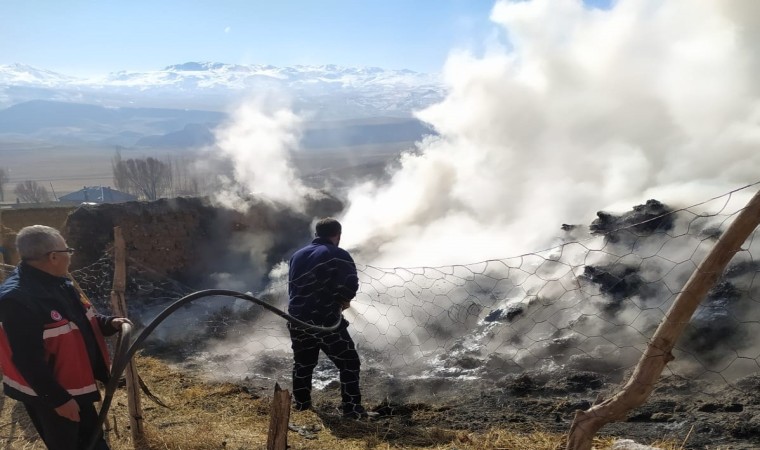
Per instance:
x=658, y=353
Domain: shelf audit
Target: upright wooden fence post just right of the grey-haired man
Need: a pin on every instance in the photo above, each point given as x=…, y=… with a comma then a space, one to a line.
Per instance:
x=119, y=305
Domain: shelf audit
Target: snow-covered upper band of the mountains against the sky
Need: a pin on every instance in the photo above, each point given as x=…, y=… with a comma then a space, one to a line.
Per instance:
x=327, y=91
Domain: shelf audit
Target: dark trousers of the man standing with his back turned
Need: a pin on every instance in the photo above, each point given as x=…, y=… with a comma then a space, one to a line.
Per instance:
x=340, y=348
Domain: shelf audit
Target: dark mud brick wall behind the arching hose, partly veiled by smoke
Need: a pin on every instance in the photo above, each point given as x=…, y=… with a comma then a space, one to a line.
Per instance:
x=187, y=238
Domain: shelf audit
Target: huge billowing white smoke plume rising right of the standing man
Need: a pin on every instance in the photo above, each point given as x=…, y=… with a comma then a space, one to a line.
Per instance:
x=578, y=110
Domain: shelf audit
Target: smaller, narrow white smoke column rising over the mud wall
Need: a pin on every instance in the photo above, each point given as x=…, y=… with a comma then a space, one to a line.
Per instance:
x=251, y=171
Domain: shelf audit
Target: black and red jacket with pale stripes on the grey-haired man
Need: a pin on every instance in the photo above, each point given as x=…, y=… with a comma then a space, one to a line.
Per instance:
x=51, y=340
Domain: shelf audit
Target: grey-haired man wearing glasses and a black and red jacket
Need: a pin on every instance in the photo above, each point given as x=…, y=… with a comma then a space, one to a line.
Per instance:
x=51, y=342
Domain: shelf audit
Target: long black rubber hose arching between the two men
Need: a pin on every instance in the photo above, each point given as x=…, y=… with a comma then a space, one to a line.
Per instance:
x=122, y=357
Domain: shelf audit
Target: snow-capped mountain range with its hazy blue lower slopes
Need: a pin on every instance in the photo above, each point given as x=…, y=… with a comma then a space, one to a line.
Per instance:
x=178, y=105
